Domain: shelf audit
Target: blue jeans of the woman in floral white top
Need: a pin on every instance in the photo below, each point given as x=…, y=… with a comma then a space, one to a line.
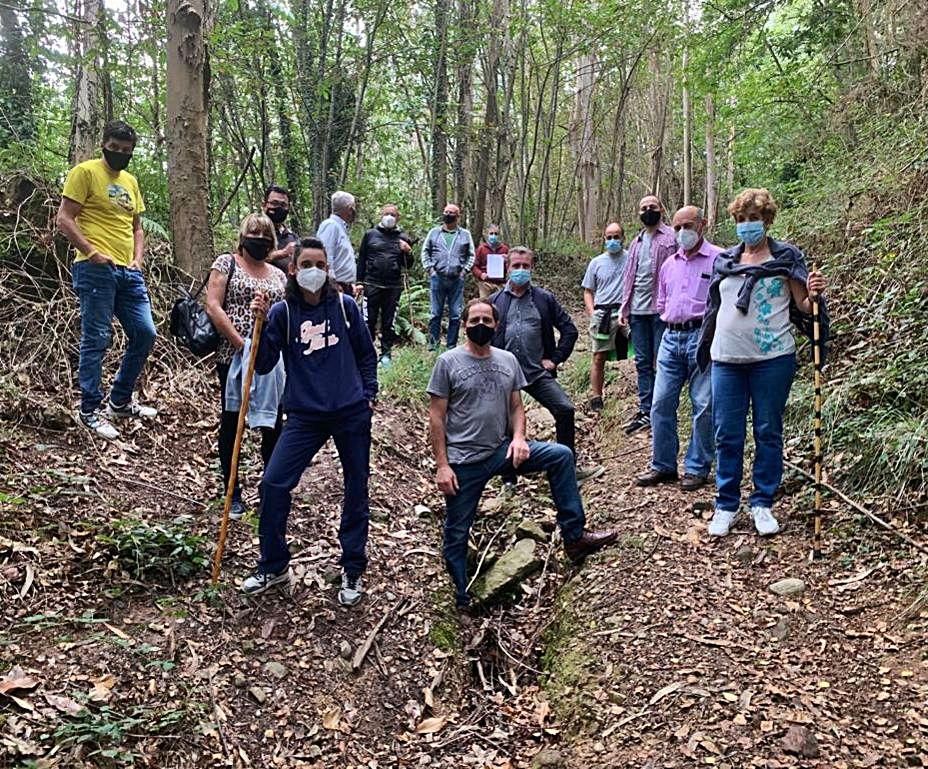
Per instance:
x=766, y=385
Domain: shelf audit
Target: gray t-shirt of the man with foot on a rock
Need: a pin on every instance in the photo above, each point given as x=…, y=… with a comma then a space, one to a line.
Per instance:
x=478, y=392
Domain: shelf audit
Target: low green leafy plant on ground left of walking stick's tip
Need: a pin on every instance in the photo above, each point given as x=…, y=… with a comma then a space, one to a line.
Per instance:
x=148, y=550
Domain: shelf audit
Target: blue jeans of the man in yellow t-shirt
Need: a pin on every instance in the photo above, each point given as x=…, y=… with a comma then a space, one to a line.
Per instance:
x=105, y=290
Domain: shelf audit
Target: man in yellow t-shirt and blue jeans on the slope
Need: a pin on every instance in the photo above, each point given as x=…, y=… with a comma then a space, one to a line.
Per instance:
x=99, y=215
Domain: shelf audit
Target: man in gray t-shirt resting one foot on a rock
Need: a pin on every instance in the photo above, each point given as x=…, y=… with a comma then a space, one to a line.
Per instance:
x=477, y=426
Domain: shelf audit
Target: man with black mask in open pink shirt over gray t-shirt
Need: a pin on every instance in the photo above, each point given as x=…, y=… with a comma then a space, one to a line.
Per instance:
x=651, y=247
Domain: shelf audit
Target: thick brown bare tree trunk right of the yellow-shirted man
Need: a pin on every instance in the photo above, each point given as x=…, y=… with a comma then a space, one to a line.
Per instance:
x=187, y=134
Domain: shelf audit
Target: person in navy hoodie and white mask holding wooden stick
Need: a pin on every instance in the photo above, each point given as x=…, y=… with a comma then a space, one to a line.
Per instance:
x=331, y=388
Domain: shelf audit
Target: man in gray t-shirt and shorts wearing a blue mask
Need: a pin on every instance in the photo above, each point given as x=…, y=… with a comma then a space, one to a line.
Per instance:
x=602, y=298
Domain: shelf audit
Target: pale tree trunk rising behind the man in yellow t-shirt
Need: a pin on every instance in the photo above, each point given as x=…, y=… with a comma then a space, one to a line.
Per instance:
x=89, y=113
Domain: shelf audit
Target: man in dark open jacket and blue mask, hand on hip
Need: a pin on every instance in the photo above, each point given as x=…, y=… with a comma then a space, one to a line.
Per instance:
x=528, y=316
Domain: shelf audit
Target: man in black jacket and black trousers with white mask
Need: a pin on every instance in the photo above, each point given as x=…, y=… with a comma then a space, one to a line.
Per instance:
x=384, y=254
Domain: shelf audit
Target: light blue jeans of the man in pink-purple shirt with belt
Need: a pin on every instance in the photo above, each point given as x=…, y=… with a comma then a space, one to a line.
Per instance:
x=676, y=365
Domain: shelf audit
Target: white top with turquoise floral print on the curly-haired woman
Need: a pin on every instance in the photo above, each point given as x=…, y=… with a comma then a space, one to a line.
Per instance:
x=763, y=333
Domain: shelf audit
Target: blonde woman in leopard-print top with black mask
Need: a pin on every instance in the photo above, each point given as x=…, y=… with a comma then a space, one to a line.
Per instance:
x=234, y=280
